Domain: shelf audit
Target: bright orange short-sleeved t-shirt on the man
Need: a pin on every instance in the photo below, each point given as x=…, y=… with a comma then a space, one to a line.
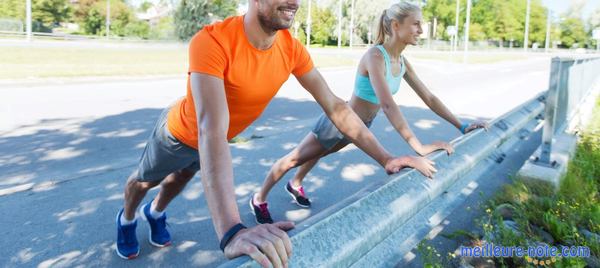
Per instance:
x=251, y=76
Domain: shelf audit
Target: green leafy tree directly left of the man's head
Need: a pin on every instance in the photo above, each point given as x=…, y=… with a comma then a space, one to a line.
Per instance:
x=192, y=15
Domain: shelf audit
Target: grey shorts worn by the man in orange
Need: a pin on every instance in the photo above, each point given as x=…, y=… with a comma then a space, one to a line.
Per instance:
x=164, y=154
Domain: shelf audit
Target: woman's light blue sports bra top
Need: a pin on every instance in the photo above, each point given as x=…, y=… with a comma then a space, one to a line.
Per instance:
x=363, y=88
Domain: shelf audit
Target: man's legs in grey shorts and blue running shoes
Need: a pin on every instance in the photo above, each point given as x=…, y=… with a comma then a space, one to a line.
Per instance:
x=165, y=159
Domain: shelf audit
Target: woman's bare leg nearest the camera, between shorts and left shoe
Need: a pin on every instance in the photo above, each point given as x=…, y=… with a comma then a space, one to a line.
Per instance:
x=308, y=149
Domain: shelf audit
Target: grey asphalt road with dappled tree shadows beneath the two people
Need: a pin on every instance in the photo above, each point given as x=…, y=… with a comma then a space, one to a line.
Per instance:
x=67, y=148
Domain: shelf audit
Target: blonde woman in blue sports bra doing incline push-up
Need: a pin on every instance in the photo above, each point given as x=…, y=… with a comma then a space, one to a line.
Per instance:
x=379, y=74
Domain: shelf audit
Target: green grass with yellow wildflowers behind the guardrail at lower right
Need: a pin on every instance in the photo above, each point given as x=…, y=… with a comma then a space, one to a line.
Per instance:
x=541, y=213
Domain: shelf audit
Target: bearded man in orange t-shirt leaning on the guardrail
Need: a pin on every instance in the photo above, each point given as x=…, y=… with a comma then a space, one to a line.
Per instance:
x=236, y=67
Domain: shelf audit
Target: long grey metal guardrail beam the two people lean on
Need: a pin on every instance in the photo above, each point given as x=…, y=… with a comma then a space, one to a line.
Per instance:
x=340, y=237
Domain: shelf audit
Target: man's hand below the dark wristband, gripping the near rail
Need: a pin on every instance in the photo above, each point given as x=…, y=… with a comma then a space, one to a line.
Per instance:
x=267, y=244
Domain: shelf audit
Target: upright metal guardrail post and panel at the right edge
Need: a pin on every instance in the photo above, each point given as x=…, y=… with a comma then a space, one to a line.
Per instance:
x=571, y=81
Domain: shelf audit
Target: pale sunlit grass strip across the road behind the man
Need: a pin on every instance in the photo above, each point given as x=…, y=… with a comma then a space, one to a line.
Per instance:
x=49, y=62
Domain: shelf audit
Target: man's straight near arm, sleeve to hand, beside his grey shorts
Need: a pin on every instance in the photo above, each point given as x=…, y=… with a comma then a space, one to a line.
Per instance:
x=267, y=244
